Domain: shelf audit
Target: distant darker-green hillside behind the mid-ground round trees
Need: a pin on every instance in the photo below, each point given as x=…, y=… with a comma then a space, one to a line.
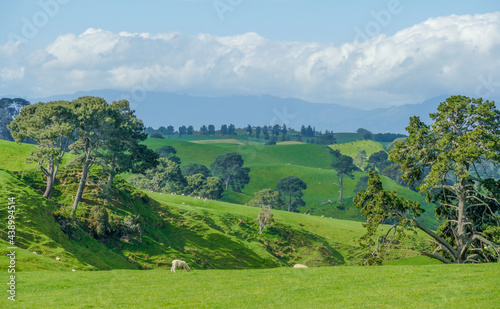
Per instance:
x=309, y=162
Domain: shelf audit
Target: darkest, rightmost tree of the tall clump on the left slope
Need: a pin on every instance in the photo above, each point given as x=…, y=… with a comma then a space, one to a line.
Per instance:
x=122, y=152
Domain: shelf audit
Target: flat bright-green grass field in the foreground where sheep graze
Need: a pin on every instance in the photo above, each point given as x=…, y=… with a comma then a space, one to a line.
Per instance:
x=448, y=286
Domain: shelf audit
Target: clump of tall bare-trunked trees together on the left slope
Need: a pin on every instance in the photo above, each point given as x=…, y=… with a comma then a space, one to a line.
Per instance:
x=105, y=134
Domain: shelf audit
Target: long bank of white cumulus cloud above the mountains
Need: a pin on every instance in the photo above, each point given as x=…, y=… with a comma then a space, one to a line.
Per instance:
x=451, y=54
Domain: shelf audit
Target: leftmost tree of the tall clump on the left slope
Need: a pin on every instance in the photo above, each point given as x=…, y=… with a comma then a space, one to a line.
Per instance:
x=51, y=125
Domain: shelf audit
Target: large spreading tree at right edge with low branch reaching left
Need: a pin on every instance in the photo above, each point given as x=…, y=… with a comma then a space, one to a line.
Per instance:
x=449, y=159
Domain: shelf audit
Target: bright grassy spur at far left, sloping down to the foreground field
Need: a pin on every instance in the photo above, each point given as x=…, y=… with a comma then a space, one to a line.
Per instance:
x=37, y=231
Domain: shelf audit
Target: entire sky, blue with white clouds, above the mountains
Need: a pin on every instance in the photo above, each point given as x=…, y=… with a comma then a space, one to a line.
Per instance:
x=367, y=54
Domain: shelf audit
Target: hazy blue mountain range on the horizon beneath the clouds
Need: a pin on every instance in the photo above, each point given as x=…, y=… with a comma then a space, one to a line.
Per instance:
x=162, y=109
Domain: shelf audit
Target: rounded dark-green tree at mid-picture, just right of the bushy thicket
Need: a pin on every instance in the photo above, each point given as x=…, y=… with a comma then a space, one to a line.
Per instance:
x=229, y=168
